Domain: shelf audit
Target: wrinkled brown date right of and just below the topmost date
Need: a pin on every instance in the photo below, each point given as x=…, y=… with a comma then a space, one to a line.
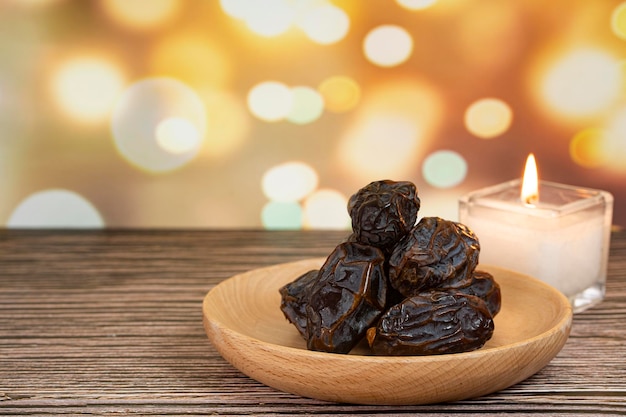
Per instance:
x=434, y=254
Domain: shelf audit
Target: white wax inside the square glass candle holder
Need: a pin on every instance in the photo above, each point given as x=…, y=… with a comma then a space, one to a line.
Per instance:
x=567, y=256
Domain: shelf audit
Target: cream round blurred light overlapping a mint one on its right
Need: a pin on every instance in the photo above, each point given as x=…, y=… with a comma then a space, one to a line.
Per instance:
x=270, y=101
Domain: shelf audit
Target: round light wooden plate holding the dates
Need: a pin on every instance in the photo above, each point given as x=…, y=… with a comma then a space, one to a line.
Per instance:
x=243, y=320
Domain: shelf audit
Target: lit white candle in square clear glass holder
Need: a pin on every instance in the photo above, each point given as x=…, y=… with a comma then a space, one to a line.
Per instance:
x=557, y=233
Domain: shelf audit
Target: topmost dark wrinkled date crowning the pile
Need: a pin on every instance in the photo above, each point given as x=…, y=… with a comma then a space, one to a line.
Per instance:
x=383, y=211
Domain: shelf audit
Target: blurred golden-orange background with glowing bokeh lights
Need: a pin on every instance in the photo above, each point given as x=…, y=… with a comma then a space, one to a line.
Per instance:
x=271, y=113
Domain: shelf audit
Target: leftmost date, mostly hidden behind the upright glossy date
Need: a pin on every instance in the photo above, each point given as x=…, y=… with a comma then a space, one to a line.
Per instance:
x=294, y=298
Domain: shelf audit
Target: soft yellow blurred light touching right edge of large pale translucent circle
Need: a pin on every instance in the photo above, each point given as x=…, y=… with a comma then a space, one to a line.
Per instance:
x=228, y=122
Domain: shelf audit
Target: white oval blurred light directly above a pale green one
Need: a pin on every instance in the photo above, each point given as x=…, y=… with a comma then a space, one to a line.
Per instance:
x=289, y=181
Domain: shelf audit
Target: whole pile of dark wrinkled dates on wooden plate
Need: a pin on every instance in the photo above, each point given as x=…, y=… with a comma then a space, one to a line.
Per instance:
x=407, y=287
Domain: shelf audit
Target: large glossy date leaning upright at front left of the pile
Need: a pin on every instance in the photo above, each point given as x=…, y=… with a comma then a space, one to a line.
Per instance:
x=347, y=298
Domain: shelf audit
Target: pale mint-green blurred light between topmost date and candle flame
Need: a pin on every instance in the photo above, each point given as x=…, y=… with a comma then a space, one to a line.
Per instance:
x=444, y=169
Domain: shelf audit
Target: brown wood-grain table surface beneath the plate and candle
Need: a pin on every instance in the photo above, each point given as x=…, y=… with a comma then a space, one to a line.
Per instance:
x=110, y=322
